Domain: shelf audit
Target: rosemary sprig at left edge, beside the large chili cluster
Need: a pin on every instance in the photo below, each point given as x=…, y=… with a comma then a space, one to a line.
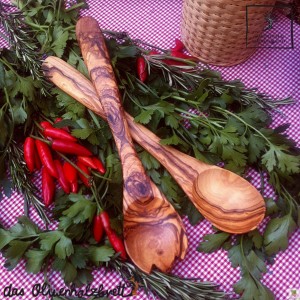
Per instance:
x=21, y=182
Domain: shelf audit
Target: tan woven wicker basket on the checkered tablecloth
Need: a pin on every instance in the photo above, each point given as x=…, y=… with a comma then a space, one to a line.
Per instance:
x=215, y=31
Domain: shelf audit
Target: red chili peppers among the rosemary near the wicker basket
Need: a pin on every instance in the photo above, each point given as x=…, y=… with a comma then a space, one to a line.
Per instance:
x=176, y=52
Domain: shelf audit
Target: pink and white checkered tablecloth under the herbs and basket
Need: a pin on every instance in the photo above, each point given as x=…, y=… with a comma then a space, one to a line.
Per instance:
x=273, y=71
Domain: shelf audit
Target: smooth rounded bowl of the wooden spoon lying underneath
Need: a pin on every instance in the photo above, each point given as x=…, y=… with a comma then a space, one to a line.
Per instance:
x=228, y=200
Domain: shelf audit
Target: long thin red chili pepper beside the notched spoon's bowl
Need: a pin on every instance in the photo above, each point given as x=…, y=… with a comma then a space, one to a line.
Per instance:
x=113, y=238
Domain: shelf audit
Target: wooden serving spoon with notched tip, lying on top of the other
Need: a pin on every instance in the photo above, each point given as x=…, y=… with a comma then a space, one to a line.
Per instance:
x=154, y=234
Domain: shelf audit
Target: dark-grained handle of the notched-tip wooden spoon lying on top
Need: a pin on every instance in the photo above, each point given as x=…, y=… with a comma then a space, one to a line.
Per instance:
x=97, y=60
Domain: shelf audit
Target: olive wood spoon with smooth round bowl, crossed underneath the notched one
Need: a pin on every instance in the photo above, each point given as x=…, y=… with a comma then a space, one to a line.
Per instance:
x=231, y=204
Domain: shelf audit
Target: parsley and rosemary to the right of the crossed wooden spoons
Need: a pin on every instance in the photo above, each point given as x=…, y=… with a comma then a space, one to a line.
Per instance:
x=227, y=124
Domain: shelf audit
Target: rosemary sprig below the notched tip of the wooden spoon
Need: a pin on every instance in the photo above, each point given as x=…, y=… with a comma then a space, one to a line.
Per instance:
x=167, y=286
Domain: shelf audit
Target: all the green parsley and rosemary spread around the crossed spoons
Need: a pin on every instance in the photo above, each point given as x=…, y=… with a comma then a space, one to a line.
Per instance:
x=189, y=107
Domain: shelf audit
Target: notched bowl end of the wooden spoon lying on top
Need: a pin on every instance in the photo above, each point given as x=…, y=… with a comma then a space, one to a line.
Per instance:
x=148, y=237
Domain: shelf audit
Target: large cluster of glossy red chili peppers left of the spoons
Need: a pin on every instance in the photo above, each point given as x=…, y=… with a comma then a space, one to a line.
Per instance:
x=42, y=153
